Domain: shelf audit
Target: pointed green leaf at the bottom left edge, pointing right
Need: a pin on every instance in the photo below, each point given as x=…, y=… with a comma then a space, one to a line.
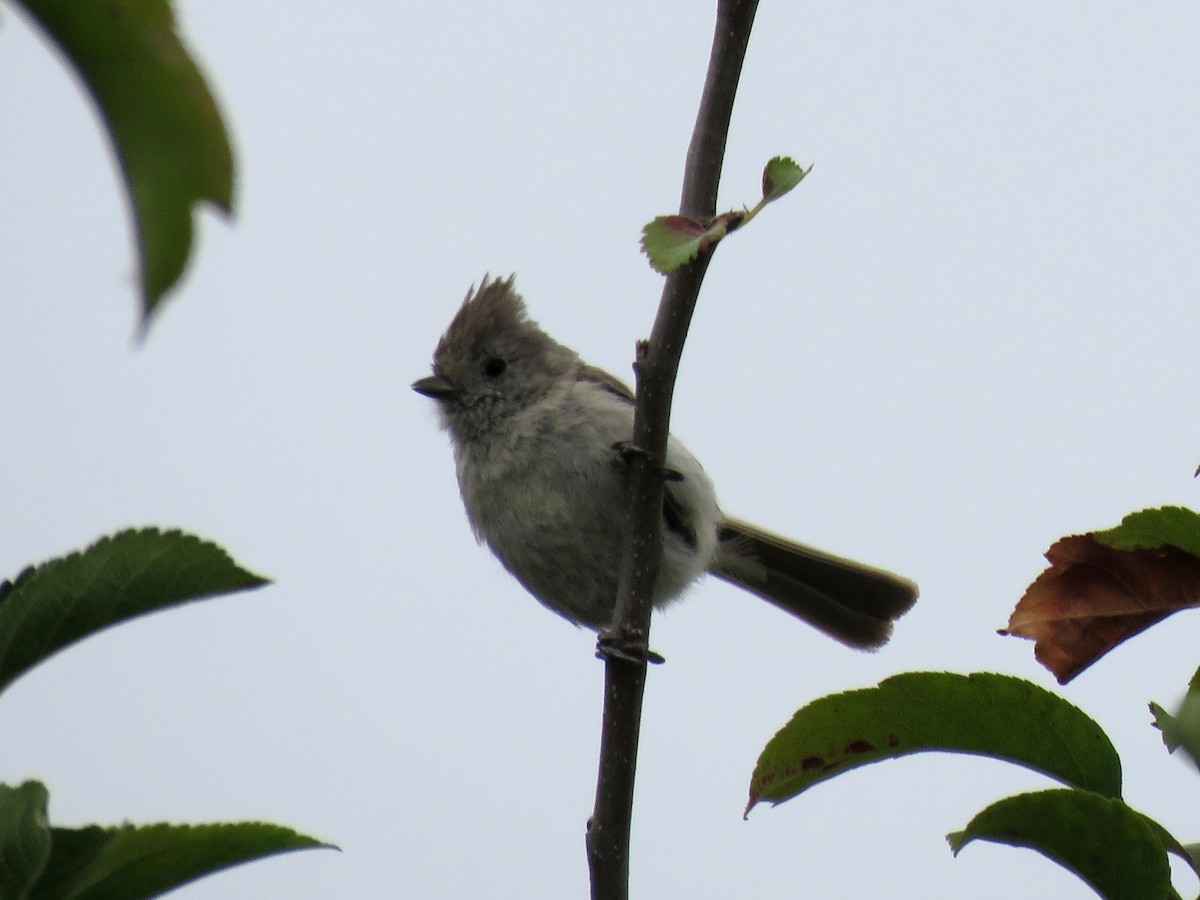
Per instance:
x=147, y=861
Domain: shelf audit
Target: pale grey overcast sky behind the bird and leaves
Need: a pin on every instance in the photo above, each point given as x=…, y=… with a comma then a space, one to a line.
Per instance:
x=971, y=331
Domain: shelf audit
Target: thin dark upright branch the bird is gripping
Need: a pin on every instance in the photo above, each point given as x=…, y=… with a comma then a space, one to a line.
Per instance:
x=658, y=362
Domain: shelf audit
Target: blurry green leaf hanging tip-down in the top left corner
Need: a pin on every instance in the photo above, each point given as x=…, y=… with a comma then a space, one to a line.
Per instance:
x=161, y=117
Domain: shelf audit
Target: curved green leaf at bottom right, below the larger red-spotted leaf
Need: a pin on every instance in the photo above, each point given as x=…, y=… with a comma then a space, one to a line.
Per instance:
x=1103, y=842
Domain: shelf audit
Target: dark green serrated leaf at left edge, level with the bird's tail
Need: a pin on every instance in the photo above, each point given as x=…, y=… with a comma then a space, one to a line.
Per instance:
x=117, y=579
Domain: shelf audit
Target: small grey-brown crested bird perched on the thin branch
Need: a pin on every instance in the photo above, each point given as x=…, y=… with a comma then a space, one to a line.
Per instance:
x=537, y=436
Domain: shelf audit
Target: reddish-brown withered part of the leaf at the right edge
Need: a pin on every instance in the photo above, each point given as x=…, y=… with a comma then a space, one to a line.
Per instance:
x=1094, y=597
